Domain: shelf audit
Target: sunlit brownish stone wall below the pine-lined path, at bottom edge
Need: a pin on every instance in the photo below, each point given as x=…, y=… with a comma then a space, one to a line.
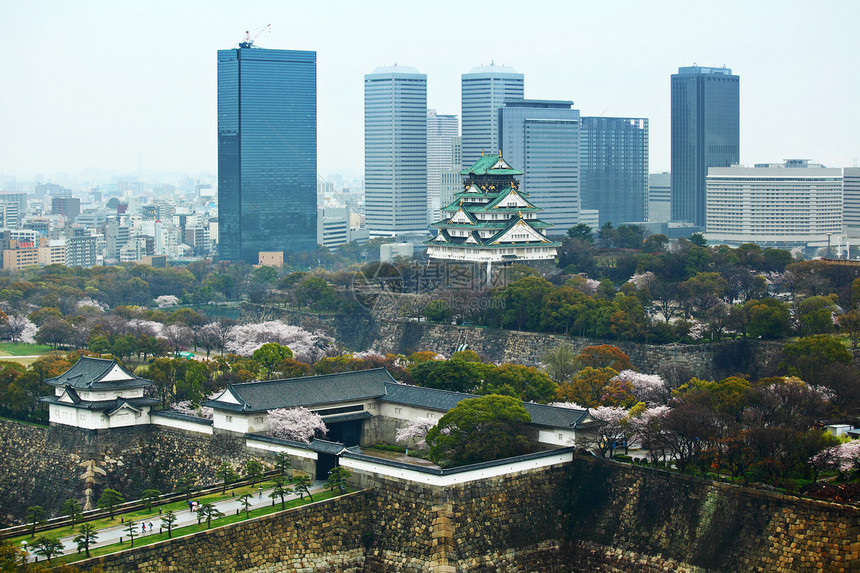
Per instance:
x=327, y=536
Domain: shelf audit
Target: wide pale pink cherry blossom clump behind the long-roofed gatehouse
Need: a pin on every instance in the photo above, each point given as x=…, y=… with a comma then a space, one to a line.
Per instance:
x=244, y=339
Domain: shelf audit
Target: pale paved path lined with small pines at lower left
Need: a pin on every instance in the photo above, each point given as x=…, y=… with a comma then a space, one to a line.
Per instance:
x=113, y=534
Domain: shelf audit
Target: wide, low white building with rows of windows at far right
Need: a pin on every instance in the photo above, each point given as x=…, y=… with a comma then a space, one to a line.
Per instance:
x=795, y=204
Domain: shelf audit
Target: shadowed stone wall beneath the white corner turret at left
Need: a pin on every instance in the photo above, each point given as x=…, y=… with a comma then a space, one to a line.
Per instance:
x=47, y=466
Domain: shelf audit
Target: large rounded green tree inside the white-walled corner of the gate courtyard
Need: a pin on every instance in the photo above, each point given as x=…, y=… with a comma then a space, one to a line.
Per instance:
x=480, y=429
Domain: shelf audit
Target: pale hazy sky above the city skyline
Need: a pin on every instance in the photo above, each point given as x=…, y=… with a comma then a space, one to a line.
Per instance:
x=102, y=84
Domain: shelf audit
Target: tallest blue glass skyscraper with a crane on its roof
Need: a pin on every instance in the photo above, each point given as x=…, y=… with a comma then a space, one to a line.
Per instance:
x=267, y=152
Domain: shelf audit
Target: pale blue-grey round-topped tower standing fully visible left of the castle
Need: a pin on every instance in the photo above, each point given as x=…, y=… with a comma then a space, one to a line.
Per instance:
x=395, y=150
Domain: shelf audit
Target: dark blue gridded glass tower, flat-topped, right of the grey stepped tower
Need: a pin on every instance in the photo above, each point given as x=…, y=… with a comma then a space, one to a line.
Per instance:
x=613, y=168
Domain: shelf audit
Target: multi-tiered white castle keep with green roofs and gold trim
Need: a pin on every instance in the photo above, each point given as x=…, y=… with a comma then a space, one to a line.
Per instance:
x=491, y=220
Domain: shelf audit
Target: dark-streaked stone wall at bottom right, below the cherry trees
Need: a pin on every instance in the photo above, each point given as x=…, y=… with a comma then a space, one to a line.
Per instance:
x=627, y=518
